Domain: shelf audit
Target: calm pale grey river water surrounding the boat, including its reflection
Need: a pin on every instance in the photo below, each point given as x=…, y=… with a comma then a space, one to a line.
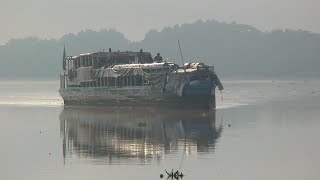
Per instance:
x=260, y=130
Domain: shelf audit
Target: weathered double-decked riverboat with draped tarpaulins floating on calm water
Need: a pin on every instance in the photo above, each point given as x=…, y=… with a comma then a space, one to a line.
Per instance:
x=136, y=79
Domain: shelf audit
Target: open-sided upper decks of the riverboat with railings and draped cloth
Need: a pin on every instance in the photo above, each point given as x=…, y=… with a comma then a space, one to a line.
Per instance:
x=115, y=69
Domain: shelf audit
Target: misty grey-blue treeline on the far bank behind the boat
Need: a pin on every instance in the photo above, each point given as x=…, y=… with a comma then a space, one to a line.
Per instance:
x=236, y=50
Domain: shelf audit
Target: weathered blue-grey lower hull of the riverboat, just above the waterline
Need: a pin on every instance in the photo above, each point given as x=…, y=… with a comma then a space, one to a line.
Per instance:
x=138, y=96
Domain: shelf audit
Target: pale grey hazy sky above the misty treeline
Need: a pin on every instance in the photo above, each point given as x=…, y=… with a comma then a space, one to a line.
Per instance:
x=54, y=18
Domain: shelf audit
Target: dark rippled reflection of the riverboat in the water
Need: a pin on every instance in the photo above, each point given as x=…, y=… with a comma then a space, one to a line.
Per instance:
x=123, y=134
